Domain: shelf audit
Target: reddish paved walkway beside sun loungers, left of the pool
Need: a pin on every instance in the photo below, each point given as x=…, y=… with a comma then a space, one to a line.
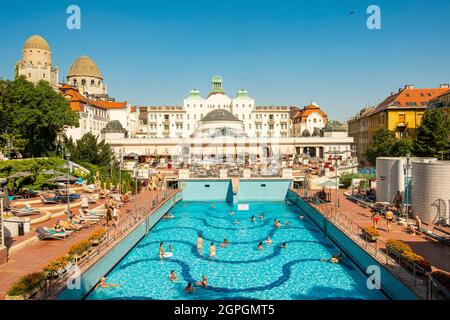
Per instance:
x=34, y=257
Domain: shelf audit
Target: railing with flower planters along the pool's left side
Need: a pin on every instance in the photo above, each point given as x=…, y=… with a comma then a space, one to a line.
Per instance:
x=126, y=224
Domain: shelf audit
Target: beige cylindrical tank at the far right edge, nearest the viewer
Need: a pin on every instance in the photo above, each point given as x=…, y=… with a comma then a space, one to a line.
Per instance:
x=431, y=191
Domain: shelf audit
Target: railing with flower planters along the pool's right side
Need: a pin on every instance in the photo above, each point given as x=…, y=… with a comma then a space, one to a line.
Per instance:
x=411, y=274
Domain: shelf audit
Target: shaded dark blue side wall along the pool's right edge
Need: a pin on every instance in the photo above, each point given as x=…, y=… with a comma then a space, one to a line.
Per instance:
x=391, y=285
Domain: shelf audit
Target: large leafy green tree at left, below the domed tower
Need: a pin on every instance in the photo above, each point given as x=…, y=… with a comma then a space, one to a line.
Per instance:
x=32, y=116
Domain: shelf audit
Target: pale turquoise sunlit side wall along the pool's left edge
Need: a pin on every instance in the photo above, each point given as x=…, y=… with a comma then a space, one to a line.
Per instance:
x=91, y=276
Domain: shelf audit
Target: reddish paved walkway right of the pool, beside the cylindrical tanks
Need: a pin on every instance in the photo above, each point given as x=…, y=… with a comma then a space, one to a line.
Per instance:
x=436, y=253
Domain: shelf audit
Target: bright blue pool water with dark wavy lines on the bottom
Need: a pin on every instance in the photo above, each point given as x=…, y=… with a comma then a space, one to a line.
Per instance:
x=239, y=271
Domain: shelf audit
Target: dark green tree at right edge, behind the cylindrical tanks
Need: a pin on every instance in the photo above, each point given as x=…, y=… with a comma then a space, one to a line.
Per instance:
x=433, y=136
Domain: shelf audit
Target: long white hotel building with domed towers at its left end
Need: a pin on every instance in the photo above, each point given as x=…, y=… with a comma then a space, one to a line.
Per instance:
x=217, y=127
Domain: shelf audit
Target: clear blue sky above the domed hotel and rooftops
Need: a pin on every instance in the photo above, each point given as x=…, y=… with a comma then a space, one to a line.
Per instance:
x=283, y=52
